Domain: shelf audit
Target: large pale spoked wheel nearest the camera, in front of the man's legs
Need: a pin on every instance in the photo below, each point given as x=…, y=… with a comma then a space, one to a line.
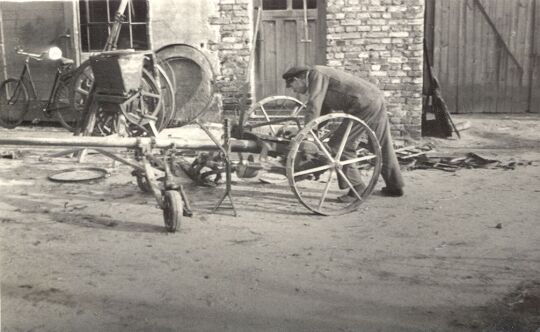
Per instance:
x=333, y=156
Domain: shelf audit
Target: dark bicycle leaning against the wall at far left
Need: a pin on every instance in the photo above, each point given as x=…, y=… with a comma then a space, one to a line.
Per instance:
x=16, y=93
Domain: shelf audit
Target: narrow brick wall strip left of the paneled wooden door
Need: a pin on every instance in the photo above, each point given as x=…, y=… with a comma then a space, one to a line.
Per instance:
x=233, y=21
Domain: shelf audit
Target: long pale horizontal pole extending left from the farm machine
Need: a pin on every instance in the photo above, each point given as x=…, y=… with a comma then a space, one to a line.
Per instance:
x=131, y=142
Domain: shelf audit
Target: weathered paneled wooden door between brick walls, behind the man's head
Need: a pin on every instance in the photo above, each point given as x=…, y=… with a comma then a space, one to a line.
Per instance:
x=282, y=42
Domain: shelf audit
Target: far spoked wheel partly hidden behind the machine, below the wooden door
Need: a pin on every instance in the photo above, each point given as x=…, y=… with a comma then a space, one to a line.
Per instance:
x=270, y=109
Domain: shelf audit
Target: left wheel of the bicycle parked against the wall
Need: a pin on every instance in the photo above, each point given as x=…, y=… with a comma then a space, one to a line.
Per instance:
x=13, y=102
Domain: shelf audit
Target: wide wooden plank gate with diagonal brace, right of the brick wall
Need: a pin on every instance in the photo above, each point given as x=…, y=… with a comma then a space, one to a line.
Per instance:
x=482, y=53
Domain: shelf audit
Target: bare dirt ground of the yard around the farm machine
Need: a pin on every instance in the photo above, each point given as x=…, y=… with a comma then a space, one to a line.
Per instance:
x=459, y=252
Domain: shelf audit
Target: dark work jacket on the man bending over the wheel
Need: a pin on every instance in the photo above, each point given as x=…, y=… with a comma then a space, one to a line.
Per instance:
x=331, y=89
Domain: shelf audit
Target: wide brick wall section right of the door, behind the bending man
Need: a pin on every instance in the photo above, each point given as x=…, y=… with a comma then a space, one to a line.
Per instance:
x=382, y=40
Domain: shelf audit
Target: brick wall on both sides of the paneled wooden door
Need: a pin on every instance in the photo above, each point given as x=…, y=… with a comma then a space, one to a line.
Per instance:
x=380, y=40
